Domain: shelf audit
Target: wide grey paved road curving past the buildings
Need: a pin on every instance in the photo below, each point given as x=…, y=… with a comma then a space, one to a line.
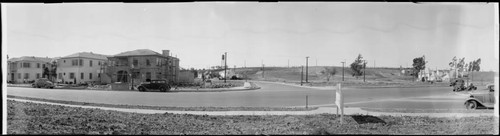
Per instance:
x=270, y=95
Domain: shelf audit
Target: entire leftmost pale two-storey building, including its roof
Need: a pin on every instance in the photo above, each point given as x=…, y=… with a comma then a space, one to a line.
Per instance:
x=27, y=68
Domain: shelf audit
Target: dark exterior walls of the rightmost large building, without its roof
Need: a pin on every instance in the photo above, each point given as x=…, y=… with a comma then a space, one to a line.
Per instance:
x=157, y=68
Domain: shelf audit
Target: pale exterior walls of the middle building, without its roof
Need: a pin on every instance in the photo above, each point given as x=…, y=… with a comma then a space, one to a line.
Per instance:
x=65, y=67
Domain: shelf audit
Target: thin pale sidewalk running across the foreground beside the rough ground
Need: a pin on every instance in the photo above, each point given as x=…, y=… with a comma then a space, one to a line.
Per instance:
x=320, y=110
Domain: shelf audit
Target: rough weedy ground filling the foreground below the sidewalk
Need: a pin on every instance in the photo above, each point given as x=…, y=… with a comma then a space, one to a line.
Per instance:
x=31, y=118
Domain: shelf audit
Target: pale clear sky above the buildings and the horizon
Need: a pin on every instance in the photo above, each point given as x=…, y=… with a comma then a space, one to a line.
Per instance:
x=253, y=33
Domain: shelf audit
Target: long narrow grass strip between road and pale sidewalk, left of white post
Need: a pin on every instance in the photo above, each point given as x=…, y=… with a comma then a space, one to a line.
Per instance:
x=168, y=108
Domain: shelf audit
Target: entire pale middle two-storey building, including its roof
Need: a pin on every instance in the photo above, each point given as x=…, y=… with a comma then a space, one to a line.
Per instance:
x=82, y=67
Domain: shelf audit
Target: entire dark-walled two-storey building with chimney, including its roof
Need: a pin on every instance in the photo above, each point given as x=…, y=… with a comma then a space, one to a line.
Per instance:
x=141, y=65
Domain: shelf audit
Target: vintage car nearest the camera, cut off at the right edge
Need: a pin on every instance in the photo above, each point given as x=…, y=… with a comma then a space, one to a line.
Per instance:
x=481, y=99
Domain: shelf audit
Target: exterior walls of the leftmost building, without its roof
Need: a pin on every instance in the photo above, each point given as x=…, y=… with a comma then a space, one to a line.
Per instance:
x=16, y=69
